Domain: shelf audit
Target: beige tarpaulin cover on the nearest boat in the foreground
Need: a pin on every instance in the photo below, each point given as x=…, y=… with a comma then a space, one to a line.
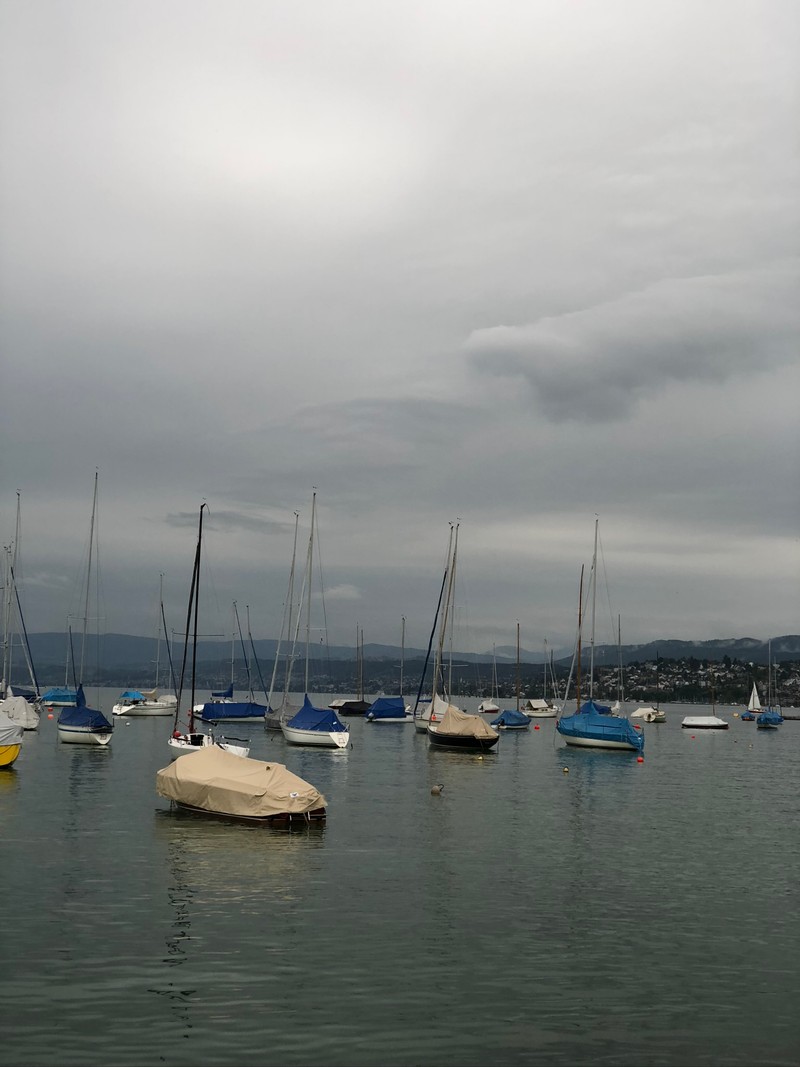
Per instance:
x=217, y=782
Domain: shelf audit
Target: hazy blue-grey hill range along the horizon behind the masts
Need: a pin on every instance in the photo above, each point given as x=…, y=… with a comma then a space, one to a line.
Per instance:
x=138, y=655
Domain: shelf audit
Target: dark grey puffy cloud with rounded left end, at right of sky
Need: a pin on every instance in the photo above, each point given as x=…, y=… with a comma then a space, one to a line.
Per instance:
x=595, y=364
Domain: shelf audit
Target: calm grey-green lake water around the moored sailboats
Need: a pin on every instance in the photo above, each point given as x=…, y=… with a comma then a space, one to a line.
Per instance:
x=551, y=906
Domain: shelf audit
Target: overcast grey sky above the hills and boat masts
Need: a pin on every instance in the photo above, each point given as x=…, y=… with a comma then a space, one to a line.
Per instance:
x=517, y=264
